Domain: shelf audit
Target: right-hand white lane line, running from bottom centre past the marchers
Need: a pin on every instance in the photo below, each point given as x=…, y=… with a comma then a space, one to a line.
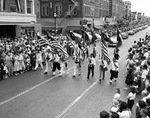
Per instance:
x=81, y=95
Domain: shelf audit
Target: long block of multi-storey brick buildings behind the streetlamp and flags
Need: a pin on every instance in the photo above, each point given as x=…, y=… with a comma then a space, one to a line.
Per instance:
x=71, y=13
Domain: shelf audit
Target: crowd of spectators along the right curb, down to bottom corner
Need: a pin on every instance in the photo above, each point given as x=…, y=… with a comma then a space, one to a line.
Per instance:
x=138, y=80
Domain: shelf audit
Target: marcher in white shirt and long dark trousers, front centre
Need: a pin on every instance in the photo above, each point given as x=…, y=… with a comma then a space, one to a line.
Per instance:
x=91, y=65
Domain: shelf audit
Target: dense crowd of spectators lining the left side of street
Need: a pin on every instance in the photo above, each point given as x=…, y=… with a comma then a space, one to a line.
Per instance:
x=20, y=55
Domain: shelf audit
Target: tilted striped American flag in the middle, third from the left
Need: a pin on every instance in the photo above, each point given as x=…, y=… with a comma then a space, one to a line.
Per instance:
x=73, y=45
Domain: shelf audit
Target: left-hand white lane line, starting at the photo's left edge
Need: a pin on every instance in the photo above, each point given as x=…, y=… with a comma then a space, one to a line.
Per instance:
x=28, y=90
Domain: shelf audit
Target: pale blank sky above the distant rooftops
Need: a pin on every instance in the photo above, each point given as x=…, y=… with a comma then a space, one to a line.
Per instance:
x=140, y=6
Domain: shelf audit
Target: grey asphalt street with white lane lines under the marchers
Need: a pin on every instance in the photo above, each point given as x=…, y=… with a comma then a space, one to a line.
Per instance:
x=36, y=95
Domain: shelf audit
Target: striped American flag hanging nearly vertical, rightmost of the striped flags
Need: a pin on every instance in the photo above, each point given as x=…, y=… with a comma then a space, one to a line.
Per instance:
x=104, y=51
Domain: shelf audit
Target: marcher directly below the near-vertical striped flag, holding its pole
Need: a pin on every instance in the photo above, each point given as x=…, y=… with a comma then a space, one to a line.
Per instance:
x=102, y=69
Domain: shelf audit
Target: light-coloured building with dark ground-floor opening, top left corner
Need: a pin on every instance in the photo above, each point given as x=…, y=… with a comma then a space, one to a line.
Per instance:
x=17, y=17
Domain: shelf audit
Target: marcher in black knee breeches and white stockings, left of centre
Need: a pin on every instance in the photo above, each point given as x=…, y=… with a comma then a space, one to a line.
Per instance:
x=56, y=64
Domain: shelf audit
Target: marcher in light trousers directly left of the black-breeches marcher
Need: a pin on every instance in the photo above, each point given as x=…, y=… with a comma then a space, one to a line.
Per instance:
x=49, y=58
